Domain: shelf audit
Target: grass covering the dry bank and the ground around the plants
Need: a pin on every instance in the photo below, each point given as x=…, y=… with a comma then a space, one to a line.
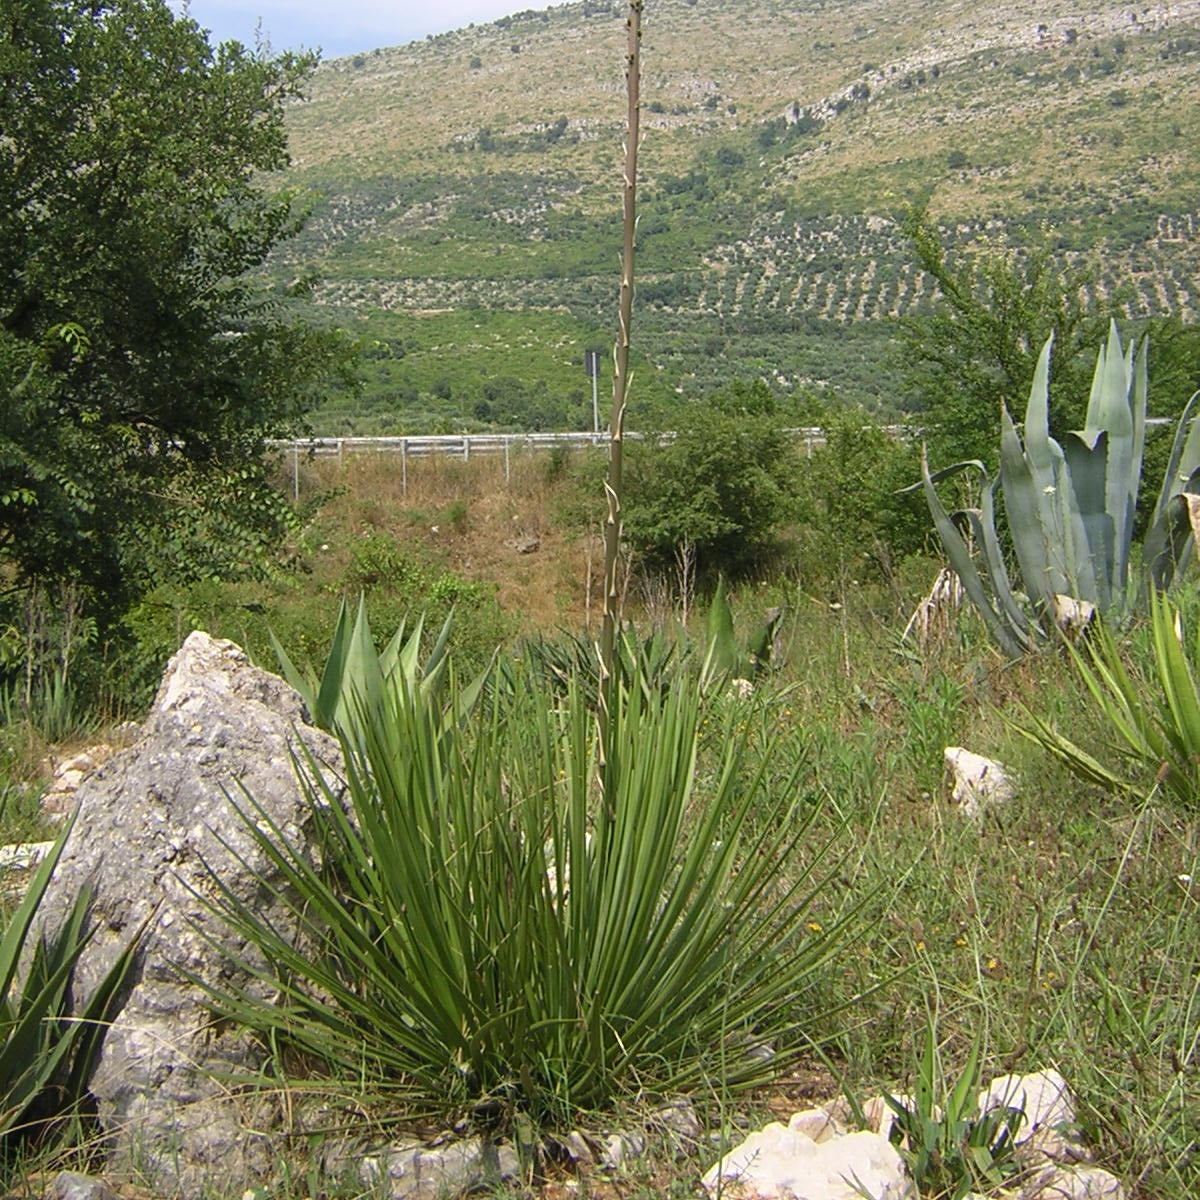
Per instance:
x=1065, y=927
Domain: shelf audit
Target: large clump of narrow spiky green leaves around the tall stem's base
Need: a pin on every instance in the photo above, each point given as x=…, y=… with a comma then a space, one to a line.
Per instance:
x=485, y=928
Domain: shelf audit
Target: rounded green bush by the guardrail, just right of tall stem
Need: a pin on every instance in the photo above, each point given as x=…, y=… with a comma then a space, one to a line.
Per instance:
x=723, y=484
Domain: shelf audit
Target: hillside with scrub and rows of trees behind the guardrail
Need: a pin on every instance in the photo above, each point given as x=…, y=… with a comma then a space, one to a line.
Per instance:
x=467, y=189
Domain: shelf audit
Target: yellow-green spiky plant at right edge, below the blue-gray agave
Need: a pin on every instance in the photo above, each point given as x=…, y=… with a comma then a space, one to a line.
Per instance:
x=1157, y=728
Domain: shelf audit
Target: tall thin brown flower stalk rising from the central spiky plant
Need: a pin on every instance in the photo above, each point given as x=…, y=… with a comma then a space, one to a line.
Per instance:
x=621, y=370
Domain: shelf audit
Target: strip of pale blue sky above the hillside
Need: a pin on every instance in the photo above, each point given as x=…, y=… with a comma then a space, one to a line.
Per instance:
x=345, y=27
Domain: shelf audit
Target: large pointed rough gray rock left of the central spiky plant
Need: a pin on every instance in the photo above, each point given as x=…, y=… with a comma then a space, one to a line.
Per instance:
x=149, y=820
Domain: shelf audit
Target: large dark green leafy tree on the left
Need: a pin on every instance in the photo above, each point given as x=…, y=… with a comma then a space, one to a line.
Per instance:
x=145, y=355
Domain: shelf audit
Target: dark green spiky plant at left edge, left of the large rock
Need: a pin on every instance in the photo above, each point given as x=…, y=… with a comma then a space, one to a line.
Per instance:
x=47, y=1046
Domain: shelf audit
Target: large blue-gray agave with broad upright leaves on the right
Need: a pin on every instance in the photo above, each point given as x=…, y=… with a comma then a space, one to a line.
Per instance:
x=1071, y=508
